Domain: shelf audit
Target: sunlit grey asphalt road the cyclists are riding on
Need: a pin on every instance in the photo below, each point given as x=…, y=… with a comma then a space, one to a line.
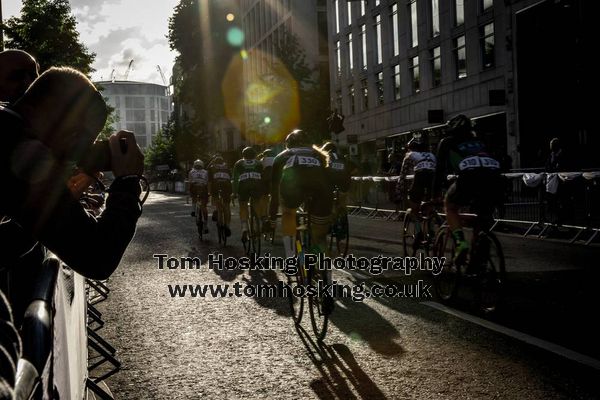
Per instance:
x=244, y=347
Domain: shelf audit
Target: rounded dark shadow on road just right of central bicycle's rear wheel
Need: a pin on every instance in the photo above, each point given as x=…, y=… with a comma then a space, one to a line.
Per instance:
x=363, y=323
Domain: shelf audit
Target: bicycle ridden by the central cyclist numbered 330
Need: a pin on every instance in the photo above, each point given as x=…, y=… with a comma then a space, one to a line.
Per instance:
x=320, y=308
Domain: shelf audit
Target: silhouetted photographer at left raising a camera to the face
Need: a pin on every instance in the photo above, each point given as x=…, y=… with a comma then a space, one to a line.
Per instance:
x=44, y=132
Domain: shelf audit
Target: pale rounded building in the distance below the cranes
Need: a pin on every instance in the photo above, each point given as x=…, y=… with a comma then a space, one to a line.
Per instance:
x=143, y=108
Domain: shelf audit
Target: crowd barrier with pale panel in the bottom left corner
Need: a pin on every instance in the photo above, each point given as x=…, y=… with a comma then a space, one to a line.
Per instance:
x=59, y=332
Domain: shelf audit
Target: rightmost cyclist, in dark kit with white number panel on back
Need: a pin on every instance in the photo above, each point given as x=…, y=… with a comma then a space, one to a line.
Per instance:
x=478, y=180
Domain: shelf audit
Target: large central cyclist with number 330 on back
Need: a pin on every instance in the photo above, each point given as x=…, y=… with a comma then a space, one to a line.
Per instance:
x=298, y=174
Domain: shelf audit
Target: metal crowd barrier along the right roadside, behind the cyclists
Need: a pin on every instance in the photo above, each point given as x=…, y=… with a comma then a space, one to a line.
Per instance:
x=539, y=202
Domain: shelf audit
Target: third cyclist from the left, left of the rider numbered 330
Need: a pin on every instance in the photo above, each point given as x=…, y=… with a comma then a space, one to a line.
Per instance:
x=247, y=183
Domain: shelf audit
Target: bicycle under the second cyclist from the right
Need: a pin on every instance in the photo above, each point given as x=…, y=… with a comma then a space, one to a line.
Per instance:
x=412, y=241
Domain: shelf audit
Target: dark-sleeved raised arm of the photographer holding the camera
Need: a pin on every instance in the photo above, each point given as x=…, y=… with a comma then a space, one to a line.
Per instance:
x=93, y=247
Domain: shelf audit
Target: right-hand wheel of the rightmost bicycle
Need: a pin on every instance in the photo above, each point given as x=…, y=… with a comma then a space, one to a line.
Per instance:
x=490, y=261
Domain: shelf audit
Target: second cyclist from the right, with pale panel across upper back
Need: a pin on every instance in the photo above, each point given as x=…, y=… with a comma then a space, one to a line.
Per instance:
x=421, y=164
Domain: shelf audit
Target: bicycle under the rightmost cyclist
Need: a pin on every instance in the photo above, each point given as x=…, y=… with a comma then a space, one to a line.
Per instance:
x=484, y=266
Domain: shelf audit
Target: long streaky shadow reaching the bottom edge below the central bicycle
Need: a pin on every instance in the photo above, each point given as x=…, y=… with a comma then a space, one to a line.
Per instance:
x=338, y=367
